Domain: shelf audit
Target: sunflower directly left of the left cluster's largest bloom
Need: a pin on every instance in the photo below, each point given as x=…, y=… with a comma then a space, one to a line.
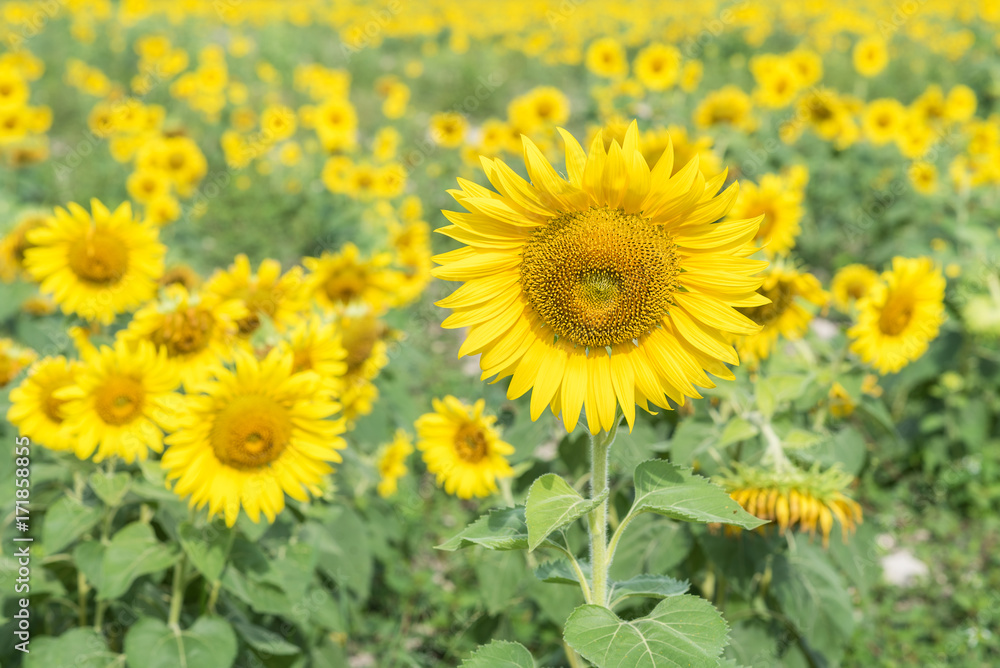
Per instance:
x=122, y=399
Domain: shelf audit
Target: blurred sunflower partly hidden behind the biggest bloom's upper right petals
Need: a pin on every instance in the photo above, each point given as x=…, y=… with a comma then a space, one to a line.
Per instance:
x=781, y=206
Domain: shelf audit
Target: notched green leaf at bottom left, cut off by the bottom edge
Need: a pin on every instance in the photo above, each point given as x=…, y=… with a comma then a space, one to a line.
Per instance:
x=209, y=643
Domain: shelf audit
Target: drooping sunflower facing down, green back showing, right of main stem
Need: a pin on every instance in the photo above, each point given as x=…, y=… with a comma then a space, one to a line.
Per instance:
x=794, y=497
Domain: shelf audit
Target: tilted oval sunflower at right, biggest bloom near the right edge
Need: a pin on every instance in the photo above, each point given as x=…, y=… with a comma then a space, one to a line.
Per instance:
x=899, y=318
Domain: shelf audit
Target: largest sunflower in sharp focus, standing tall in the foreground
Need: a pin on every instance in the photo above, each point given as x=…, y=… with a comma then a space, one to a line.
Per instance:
x=614, y=288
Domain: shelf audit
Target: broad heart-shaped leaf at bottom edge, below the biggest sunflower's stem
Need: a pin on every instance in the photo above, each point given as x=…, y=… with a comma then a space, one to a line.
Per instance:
x=680, y=631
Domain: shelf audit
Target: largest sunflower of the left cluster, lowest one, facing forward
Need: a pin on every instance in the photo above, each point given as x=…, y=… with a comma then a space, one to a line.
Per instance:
x=251, y=435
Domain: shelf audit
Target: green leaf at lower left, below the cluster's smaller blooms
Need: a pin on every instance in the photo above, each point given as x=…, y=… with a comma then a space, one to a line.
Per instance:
x=133, y=551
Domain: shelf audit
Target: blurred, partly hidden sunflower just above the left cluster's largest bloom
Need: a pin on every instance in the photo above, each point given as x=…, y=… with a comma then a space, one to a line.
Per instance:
x=264, y=294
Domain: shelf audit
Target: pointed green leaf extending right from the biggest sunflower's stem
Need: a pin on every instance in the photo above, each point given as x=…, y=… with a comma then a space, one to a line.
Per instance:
x=661, y=487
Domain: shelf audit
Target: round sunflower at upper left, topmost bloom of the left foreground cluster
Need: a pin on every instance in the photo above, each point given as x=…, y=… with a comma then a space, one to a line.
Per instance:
x=95, y=266
